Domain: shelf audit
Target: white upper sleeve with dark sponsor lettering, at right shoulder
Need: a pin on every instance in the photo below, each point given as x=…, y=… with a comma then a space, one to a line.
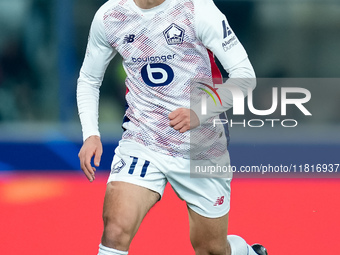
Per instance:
x=213, y=30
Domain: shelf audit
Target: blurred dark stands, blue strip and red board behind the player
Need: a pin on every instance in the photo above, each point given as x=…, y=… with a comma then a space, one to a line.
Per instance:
x=47, y=206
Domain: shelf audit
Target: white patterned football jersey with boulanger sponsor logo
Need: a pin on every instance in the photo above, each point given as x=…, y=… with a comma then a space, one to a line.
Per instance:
x=163, y=49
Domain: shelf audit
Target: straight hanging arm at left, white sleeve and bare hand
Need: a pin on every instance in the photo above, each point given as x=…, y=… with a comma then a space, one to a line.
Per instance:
x=98, y=55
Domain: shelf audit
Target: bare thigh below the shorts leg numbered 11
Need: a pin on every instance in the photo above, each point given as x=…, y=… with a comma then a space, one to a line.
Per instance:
x=125, y=206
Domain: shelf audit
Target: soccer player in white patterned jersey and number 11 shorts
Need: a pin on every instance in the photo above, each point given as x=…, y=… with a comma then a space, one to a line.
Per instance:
x=165, y=44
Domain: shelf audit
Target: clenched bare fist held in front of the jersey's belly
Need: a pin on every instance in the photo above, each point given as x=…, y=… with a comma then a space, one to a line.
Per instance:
x=183, y=119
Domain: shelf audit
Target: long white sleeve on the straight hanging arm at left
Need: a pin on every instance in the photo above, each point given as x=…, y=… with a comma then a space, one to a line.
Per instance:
x=98, y=56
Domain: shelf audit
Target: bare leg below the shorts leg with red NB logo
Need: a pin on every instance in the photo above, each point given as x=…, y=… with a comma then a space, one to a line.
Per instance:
x=208, y=234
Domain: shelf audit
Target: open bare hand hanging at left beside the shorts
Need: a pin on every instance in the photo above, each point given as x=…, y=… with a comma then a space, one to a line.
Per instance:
x=91, y=147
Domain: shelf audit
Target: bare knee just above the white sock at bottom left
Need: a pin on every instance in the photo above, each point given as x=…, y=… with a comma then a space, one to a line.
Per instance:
x=116, y=234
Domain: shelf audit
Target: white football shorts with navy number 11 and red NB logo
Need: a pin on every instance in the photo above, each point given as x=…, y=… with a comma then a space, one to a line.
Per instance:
x=136, y=164
